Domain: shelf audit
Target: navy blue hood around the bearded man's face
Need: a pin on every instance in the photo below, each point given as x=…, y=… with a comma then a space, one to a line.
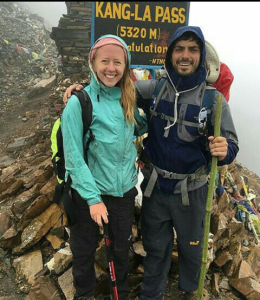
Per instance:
x=183, y=83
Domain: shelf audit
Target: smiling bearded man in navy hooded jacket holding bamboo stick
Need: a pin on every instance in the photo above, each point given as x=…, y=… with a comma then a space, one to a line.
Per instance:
x=176, y=159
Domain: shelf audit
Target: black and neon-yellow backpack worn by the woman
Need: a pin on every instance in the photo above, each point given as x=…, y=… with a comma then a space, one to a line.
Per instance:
x=62, y=189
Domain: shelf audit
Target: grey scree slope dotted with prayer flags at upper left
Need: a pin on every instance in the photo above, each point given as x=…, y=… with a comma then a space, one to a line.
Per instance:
x=26, y=50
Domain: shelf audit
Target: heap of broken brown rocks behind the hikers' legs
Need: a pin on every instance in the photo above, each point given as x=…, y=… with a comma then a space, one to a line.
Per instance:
x=33, y=230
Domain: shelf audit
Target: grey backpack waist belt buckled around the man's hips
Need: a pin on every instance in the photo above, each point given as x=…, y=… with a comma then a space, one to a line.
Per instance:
x=199, y=175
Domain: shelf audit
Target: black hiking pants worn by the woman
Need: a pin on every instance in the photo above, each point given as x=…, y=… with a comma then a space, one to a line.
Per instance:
x=84, y=241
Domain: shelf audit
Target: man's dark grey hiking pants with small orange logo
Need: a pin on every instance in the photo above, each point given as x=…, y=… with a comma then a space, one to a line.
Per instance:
x=160, y=213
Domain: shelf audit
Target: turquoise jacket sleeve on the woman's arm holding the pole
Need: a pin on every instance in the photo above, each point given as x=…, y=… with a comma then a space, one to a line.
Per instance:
x=76, y=167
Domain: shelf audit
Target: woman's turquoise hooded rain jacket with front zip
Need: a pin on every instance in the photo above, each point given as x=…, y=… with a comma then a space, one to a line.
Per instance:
x=112, y=154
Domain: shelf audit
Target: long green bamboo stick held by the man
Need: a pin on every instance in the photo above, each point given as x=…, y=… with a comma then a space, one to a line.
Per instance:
x=213, y=171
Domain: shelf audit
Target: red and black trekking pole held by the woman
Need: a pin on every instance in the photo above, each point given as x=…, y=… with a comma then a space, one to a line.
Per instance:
x=110, y=260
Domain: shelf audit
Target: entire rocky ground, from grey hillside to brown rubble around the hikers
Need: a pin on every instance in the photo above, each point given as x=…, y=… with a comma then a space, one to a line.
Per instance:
x=35, y=259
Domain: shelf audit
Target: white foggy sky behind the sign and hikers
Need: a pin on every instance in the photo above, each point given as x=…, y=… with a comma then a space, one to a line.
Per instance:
x=231, y=27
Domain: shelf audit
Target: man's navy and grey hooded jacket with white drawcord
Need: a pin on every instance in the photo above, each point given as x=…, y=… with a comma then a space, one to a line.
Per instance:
x=182, y=150
